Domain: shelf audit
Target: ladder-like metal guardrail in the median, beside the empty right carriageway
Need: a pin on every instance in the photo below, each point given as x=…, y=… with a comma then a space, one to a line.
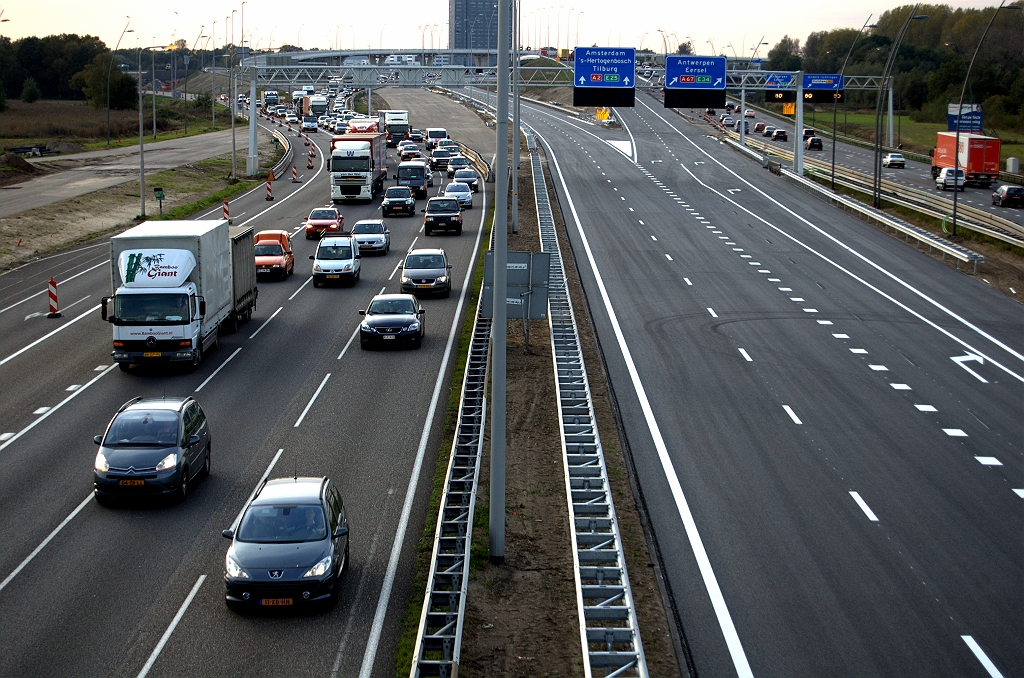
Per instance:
x=609, y=629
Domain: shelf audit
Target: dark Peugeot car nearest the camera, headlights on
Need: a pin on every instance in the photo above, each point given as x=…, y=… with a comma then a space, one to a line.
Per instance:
x=289, y=548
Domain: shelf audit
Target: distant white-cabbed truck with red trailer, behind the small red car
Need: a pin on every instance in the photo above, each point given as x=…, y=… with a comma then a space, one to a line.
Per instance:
x=359, y=166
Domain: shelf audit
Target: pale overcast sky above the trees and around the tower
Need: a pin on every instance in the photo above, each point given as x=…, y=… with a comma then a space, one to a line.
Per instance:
x=732, y=26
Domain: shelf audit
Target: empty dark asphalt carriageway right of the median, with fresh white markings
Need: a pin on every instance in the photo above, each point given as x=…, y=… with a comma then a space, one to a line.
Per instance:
x=825, y=422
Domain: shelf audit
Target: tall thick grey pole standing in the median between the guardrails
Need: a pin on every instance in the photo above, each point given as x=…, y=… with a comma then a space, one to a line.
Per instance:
x=499, y=327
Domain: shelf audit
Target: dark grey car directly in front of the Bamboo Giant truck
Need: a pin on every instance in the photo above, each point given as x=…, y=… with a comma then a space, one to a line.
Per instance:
x=152, y=447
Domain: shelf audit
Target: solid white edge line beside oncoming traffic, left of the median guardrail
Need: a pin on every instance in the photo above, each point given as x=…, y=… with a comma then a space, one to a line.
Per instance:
x=407, y=508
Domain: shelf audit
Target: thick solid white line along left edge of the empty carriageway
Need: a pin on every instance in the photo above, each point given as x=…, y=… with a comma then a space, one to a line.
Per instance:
x=733, y=642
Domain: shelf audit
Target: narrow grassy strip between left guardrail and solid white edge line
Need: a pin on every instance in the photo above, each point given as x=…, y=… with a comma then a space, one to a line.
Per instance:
x=424, y=550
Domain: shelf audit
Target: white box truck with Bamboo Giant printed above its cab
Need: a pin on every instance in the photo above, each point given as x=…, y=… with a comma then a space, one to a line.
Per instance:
x=176, y=285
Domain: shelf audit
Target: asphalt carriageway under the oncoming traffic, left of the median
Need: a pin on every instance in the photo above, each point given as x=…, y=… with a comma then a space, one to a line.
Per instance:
x=94, y=591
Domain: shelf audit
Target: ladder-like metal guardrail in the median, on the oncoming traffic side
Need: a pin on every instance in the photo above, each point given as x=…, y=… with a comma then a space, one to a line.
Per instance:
x=439, y=644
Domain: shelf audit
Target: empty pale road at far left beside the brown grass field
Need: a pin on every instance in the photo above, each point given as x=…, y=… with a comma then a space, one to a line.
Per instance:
x=110, y=168
